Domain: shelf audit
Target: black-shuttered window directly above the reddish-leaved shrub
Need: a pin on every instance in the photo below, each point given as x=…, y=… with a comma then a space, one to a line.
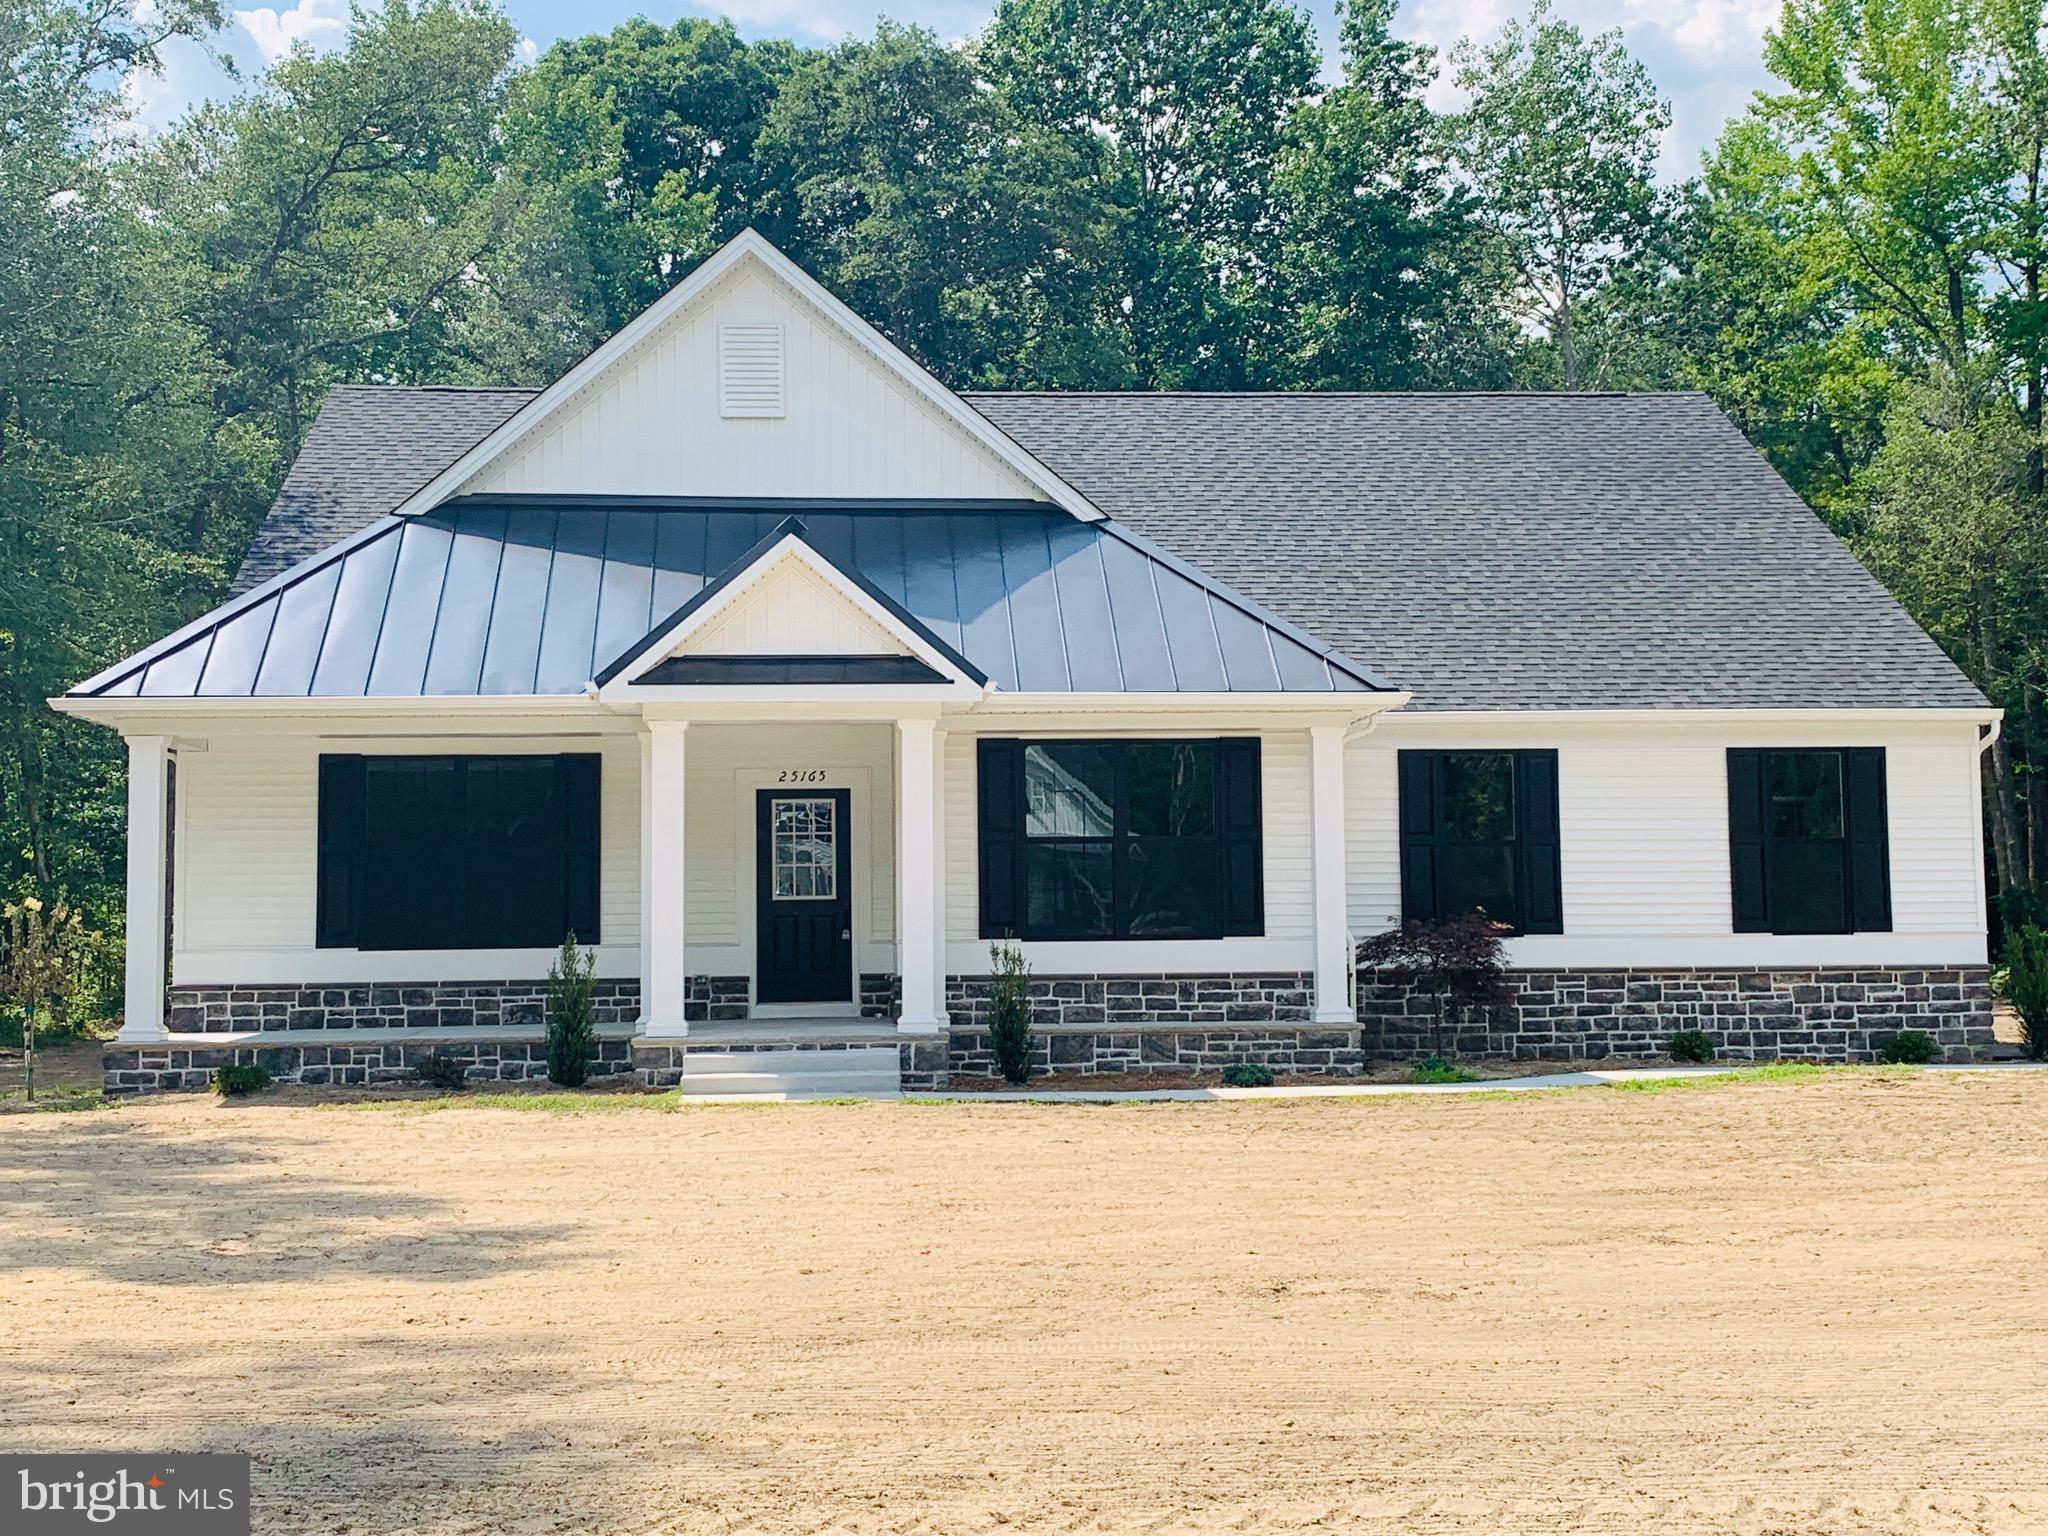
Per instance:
x=1480, y=835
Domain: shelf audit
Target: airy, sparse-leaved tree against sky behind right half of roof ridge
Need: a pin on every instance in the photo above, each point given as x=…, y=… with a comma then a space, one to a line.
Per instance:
x=1562, y=146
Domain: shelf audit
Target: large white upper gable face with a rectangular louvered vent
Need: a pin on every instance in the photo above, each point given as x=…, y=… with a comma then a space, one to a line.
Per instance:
x=703, y=407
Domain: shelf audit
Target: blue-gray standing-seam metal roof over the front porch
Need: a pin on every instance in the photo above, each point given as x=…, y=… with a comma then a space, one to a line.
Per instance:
x=540, y=595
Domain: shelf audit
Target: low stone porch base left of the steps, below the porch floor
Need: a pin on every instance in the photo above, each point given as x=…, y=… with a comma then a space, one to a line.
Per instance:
x=157, y=1070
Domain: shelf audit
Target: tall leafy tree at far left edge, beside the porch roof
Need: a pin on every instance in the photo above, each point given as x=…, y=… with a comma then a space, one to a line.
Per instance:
x=103, y=427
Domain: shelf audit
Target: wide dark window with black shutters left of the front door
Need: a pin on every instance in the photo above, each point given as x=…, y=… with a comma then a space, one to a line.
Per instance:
x=458, y=853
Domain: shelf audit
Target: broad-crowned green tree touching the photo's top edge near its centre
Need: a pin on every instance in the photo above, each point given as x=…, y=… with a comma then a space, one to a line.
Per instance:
x=1179, y=110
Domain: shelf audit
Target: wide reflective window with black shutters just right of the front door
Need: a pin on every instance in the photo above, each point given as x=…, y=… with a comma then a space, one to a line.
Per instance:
x=1121, y=839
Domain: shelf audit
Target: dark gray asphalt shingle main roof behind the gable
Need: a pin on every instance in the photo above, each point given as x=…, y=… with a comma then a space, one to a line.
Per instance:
x=1488, y=552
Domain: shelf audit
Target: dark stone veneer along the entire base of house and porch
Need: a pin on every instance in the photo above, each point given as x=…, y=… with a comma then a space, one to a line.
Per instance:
x=1111, y=1023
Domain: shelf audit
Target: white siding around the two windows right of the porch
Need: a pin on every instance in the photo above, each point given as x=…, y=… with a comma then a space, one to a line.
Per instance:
x=1646, y=841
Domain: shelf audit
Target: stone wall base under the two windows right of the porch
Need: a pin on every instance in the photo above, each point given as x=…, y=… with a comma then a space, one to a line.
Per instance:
x=1834, y=1015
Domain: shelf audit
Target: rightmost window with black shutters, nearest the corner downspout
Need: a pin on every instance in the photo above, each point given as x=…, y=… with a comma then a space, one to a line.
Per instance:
x=1807, y=841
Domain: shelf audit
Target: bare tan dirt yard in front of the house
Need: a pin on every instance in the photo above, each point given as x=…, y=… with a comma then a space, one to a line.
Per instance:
x=1773, y=1308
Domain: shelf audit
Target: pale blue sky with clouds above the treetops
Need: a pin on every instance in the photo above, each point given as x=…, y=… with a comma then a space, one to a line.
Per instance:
x=1705, y=54
